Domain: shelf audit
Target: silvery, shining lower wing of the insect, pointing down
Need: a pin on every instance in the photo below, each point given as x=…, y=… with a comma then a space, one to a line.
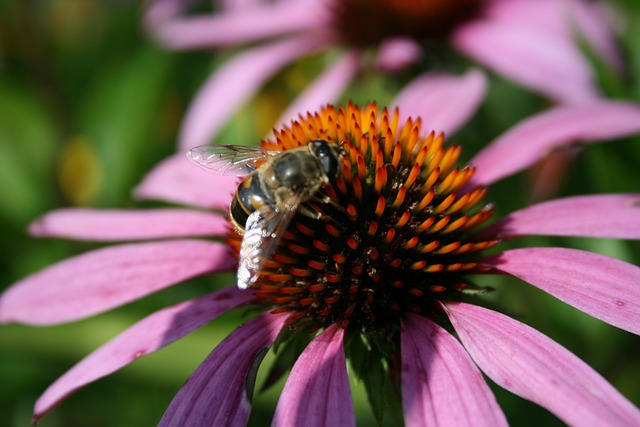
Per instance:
x=263, y=231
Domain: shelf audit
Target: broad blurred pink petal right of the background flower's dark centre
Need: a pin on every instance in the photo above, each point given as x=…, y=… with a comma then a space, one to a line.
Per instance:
x=536, y=59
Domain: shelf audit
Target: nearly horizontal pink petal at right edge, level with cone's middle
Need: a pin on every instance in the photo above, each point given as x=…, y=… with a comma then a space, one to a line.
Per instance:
x=615, y=216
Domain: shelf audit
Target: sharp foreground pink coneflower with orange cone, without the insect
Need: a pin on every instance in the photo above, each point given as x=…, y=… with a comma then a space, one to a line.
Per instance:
x=386, y=269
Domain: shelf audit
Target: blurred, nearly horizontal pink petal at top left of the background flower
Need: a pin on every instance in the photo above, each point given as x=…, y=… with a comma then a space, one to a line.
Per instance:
x=230, y=28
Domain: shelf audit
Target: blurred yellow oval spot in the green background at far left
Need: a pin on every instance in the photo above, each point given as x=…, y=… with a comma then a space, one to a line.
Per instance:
x=80, y=172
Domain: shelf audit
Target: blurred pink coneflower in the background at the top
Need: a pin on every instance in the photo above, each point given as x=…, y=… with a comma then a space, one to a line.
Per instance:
x=532, y=42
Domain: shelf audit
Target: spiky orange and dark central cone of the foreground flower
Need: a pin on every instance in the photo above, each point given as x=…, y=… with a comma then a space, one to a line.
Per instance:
x=397, y=234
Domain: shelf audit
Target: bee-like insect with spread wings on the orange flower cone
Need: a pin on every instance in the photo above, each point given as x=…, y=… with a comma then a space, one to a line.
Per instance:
x=276, y=184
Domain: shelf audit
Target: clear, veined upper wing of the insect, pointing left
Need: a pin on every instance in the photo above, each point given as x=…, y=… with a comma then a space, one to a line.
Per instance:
x=229, y=159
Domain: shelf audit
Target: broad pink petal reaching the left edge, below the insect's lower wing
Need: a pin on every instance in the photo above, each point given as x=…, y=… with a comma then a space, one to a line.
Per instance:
x=109, y=277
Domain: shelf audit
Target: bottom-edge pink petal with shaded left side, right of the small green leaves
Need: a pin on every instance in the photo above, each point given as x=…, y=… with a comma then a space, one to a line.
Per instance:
x=437, y=375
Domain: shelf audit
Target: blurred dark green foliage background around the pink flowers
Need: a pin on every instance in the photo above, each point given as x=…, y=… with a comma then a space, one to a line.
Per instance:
x=88, y=104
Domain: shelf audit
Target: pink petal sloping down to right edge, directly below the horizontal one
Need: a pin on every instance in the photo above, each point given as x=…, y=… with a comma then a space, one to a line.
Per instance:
x=604, y=287
